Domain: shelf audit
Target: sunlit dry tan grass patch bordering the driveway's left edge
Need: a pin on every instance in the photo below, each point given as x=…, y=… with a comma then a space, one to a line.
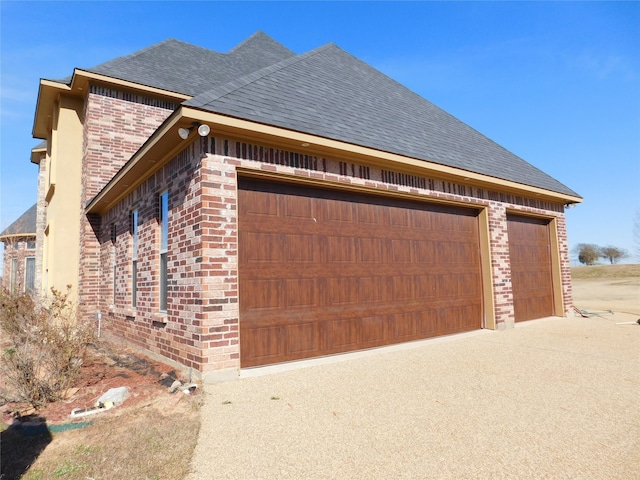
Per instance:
x=143, y=444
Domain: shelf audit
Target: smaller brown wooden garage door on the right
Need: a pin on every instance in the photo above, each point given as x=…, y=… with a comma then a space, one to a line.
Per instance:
x=530, y=256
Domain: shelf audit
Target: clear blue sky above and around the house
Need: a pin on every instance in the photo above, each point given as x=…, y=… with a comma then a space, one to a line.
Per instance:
x=557, y=83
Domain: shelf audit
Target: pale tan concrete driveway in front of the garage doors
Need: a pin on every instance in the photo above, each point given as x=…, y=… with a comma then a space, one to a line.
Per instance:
x=552, y=398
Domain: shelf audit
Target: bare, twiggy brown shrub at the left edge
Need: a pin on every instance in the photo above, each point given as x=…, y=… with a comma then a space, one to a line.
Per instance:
x=44, y=345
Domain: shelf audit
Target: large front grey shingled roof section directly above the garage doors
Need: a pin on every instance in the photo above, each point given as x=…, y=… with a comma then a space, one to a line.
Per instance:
x=329, y=93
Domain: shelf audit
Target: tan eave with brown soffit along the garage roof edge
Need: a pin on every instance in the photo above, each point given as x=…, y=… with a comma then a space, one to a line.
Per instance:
x=165, y=143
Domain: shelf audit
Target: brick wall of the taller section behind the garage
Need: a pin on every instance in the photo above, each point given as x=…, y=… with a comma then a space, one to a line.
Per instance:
x=116, y=124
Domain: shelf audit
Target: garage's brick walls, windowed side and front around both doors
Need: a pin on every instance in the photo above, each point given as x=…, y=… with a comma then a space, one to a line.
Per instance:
x=201, y=325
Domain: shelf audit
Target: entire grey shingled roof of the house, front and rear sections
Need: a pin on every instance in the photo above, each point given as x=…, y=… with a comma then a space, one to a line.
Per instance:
x=326, y=92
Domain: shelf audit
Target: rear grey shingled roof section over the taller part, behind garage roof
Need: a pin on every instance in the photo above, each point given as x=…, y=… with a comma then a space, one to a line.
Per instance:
x=184, y=68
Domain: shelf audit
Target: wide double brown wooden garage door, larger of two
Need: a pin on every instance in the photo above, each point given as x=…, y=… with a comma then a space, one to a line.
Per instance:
x=323, y=272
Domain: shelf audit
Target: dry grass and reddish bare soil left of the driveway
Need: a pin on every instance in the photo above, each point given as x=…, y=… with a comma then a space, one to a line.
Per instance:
x=151, y=436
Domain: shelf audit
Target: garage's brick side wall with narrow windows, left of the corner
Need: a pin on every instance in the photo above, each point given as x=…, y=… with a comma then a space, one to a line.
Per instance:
x=178, y=333
